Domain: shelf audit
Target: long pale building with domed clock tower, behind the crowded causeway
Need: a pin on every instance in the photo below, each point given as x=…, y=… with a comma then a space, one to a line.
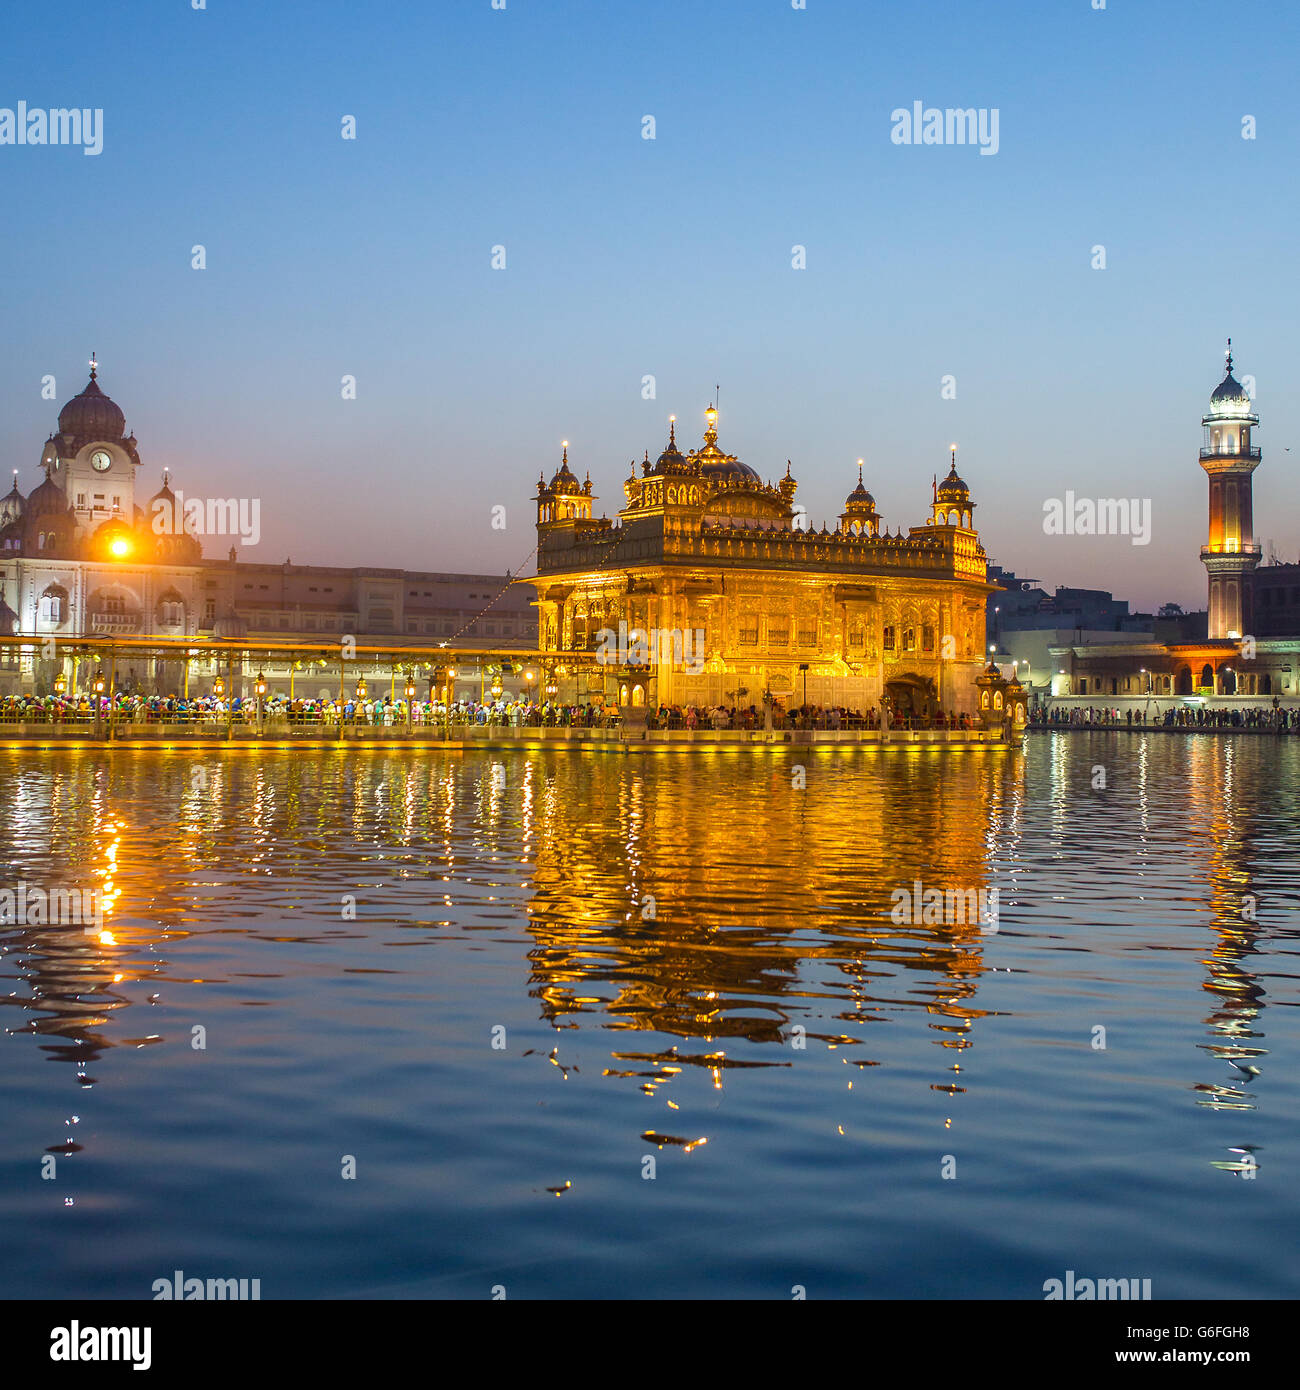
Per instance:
x=83, y=557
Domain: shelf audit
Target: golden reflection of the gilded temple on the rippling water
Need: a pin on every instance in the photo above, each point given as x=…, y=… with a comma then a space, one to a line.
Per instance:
x=669, y=917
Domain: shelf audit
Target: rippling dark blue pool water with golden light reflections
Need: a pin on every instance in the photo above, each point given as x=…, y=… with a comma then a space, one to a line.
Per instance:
x=503, y=982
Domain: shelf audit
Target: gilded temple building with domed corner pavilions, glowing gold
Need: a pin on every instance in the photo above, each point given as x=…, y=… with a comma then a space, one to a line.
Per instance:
x=735, y=598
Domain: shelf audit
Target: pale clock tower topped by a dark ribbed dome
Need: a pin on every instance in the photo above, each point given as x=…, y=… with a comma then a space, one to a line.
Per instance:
x=94, y=459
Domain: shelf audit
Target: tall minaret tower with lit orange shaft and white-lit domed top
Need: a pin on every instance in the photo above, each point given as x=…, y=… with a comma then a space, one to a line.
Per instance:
x=1231, y=553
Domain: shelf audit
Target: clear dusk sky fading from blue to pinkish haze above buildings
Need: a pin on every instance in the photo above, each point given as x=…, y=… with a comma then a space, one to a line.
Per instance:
x=669, y=258
